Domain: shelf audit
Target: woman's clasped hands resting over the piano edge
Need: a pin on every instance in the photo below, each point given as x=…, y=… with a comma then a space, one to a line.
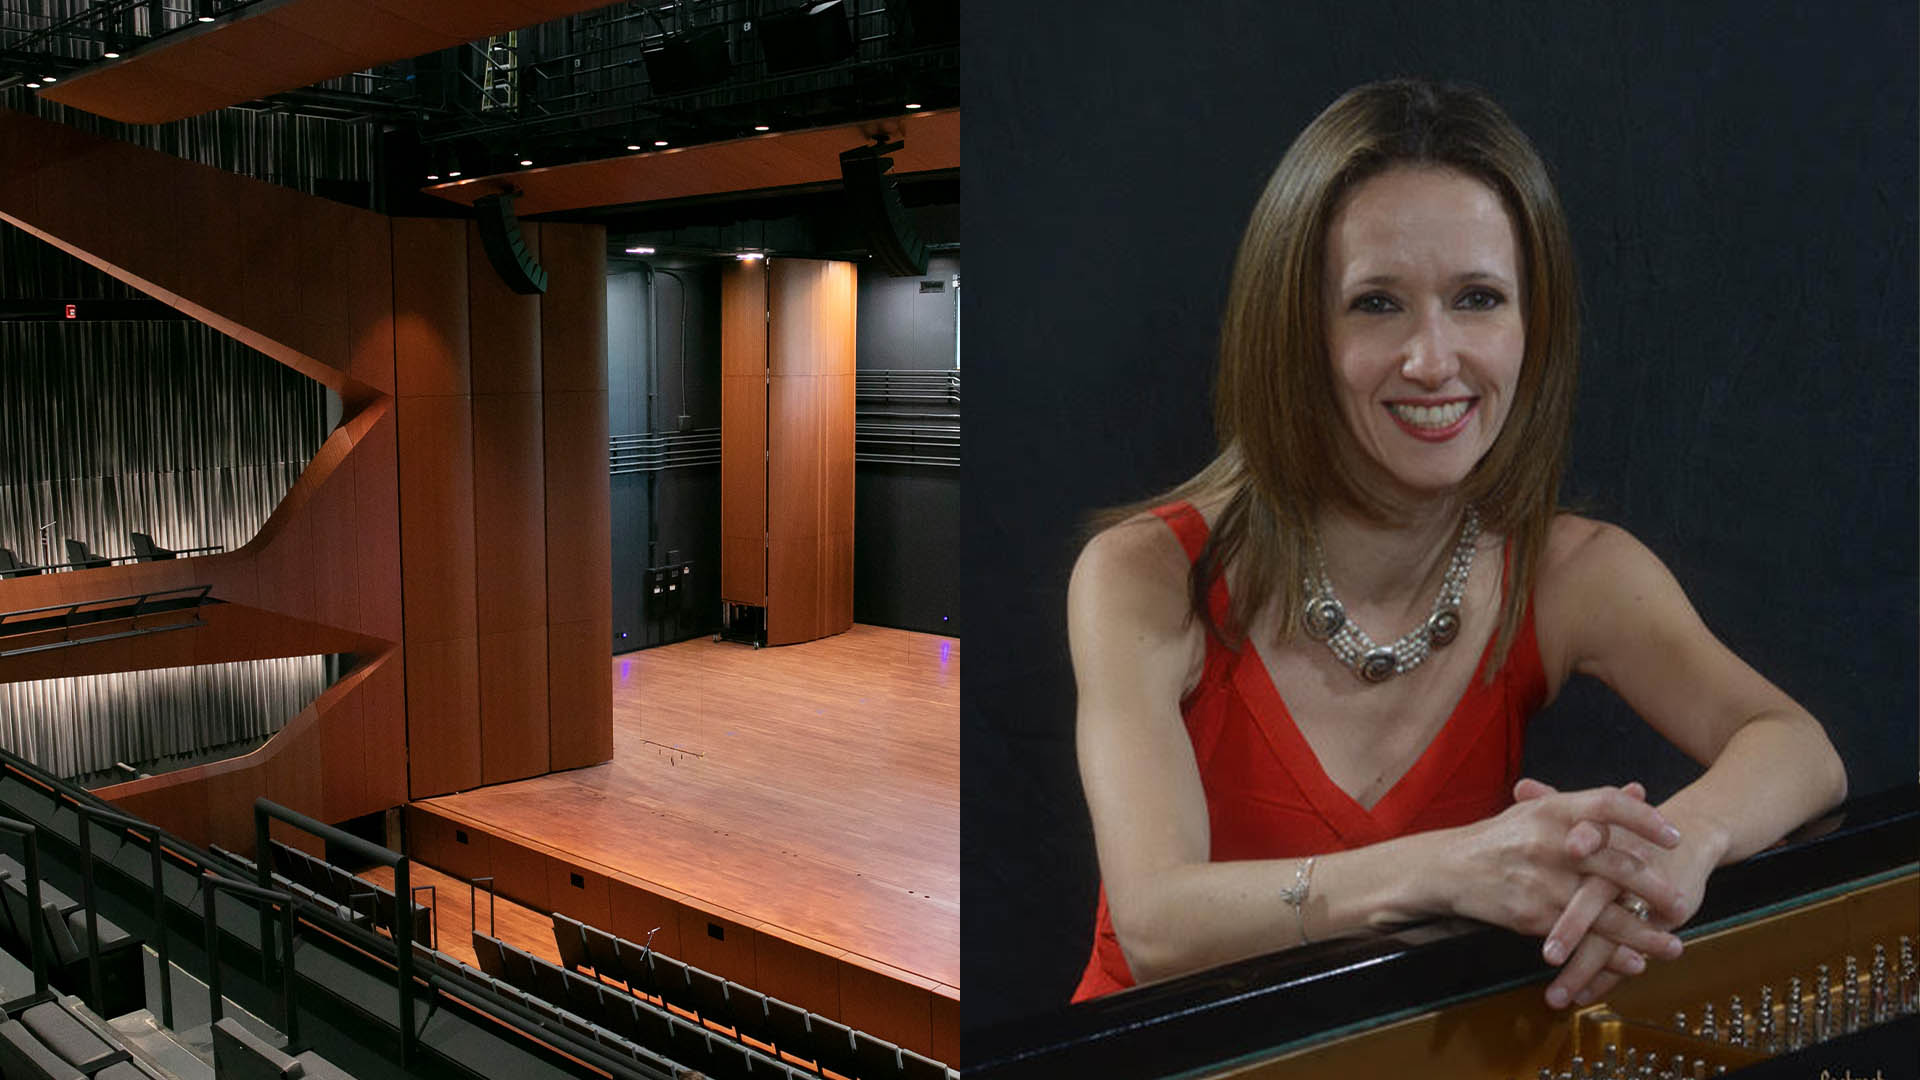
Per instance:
x=1562, y=866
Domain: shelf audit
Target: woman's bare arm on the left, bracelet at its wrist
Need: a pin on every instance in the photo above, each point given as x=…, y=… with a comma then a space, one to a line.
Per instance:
x=1136, y=654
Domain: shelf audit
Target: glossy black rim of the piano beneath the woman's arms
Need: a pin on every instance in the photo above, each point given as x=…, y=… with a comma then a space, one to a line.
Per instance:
x=1266, y=1006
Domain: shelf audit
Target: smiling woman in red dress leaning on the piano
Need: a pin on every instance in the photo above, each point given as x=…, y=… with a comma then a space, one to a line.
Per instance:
x=1395, y=395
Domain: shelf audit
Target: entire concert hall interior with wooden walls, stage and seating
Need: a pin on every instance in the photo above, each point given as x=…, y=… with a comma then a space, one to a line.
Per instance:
x=479, y=539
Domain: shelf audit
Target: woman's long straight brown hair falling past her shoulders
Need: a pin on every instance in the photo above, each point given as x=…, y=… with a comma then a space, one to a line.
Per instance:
x=1276, y=412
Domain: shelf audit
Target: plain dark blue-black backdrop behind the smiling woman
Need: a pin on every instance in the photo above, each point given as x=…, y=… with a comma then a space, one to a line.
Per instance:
x=1740, y=184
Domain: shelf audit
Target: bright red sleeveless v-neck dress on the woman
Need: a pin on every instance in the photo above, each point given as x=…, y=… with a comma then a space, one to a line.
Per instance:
x=1266, y=793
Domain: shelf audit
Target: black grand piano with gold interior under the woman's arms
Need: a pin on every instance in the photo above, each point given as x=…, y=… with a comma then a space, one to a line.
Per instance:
x=1762, y=991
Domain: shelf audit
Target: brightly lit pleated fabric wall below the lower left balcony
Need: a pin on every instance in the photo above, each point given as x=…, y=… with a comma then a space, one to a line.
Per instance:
x=74, y=727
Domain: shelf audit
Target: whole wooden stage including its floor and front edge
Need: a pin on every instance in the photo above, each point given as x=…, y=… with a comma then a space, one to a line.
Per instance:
x=786, y=818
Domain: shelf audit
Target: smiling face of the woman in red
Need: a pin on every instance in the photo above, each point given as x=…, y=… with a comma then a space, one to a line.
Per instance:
x=1424, y=326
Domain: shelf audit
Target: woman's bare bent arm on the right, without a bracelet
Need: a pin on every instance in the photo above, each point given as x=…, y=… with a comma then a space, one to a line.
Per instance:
x=1606, y=606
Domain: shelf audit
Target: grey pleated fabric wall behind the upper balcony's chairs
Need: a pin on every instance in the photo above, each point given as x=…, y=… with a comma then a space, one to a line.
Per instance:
x=168, y=430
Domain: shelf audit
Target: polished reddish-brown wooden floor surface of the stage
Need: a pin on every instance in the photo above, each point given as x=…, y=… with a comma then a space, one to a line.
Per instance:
x=813, y=789
